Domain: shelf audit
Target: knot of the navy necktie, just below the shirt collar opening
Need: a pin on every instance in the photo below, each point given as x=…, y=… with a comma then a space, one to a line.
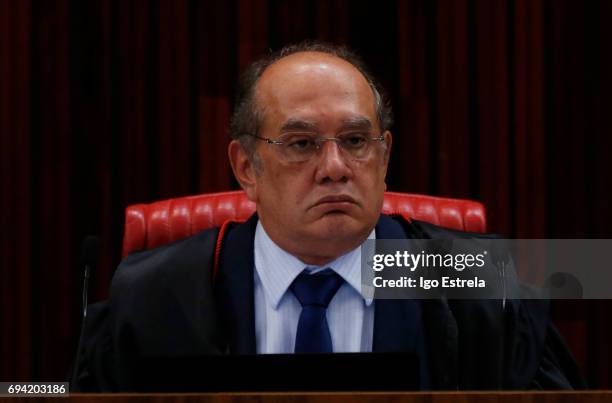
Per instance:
x=316, y=289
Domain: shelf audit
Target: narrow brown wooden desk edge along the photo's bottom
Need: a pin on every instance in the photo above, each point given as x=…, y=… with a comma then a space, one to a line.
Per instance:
x=336, y=397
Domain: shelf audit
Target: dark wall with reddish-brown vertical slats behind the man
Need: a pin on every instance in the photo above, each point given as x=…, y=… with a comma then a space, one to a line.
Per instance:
x=108, y=103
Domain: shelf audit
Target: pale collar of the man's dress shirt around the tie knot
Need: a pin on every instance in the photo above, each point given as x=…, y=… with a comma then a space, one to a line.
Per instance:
x=269, y=257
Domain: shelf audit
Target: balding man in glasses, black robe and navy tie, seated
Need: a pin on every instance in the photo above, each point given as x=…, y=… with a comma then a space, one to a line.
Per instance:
x=311, y=148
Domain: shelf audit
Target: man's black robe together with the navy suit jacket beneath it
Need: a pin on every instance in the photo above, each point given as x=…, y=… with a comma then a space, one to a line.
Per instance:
x=169, y=302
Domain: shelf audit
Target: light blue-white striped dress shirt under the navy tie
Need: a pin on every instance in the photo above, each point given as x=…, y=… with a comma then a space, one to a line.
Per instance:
x=350, y=314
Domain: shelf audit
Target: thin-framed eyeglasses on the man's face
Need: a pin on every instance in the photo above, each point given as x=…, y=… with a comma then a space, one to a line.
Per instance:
x=301, y=147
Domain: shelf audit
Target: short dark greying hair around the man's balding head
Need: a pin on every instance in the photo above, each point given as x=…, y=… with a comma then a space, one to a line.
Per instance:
x=248, y=116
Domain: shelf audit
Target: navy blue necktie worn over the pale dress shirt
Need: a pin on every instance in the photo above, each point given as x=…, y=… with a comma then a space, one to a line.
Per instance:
x=314, y=291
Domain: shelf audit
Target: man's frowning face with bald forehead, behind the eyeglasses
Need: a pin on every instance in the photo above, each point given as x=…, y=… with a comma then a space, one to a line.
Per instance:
x=322, y=208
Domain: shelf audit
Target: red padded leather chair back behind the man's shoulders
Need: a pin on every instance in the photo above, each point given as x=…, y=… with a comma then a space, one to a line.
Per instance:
x=155, y=224
